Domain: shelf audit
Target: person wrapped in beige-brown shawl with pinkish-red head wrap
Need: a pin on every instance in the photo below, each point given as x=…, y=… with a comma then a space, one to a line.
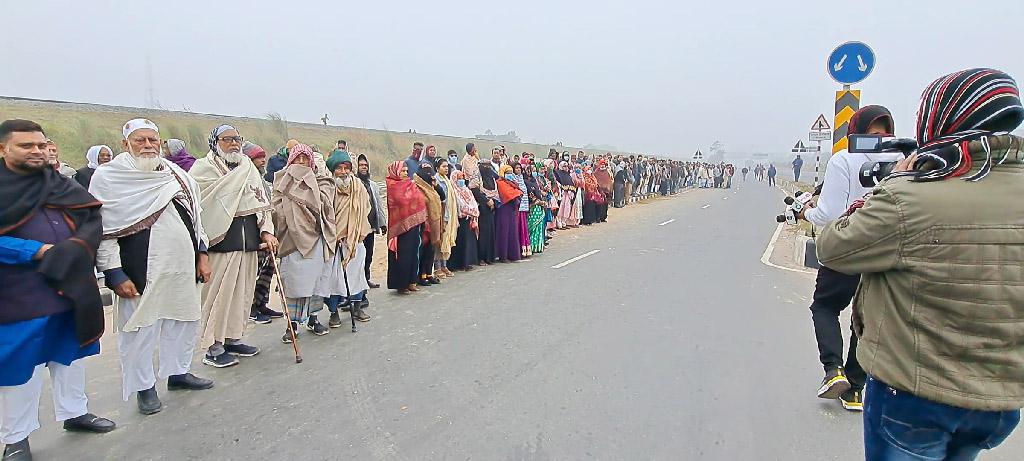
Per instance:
x=305, y=221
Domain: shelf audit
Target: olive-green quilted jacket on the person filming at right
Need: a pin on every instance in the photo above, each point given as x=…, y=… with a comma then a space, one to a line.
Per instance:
x=941, y=308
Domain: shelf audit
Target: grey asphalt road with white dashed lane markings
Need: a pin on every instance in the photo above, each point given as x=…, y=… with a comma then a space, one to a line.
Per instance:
x=672, y=342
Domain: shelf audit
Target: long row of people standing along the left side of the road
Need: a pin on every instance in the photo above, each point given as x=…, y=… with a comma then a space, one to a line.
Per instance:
x=191, y=247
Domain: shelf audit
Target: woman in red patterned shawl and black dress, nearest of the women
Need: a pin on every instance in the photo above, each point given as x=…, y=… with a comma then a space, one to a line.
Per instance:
x=407, y=214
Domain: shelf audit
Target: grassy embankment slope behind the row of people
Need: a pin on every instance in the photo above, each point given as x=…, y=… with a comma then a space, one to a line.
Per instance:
x=75, y=128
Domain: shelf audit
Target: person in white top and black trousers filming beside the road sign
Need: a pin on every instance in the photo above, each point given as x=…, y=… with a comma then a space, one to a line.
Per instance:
x=833, y=290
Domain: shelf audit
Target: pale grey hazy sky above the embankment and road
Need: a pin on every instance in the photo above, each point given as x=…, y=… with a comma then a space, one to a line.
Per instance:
x=659, y=77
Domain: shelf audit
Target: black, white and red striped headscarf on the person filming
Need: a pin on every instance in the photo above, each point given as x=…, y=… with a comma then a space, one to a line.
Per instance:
x=960, y=108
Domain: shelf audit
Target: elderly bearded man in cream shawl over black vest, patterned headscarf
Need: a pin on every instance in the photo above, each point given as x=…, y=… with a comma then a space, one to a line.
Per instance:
x=237, y=219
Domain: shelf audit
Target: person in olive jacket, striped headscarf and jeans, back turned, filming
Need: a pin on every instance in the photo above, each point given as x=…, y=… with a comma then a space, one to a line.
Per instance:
x=941, y=309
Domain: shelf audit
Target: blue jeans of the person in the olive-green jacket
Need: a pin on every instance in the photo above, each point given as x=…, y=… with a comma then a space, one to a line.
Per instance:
x=901, y=427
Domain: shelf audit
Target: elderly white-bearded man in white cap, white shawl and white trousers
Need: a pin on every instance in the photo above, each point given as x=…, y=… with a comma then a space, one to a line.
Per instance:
x=151, y=224
